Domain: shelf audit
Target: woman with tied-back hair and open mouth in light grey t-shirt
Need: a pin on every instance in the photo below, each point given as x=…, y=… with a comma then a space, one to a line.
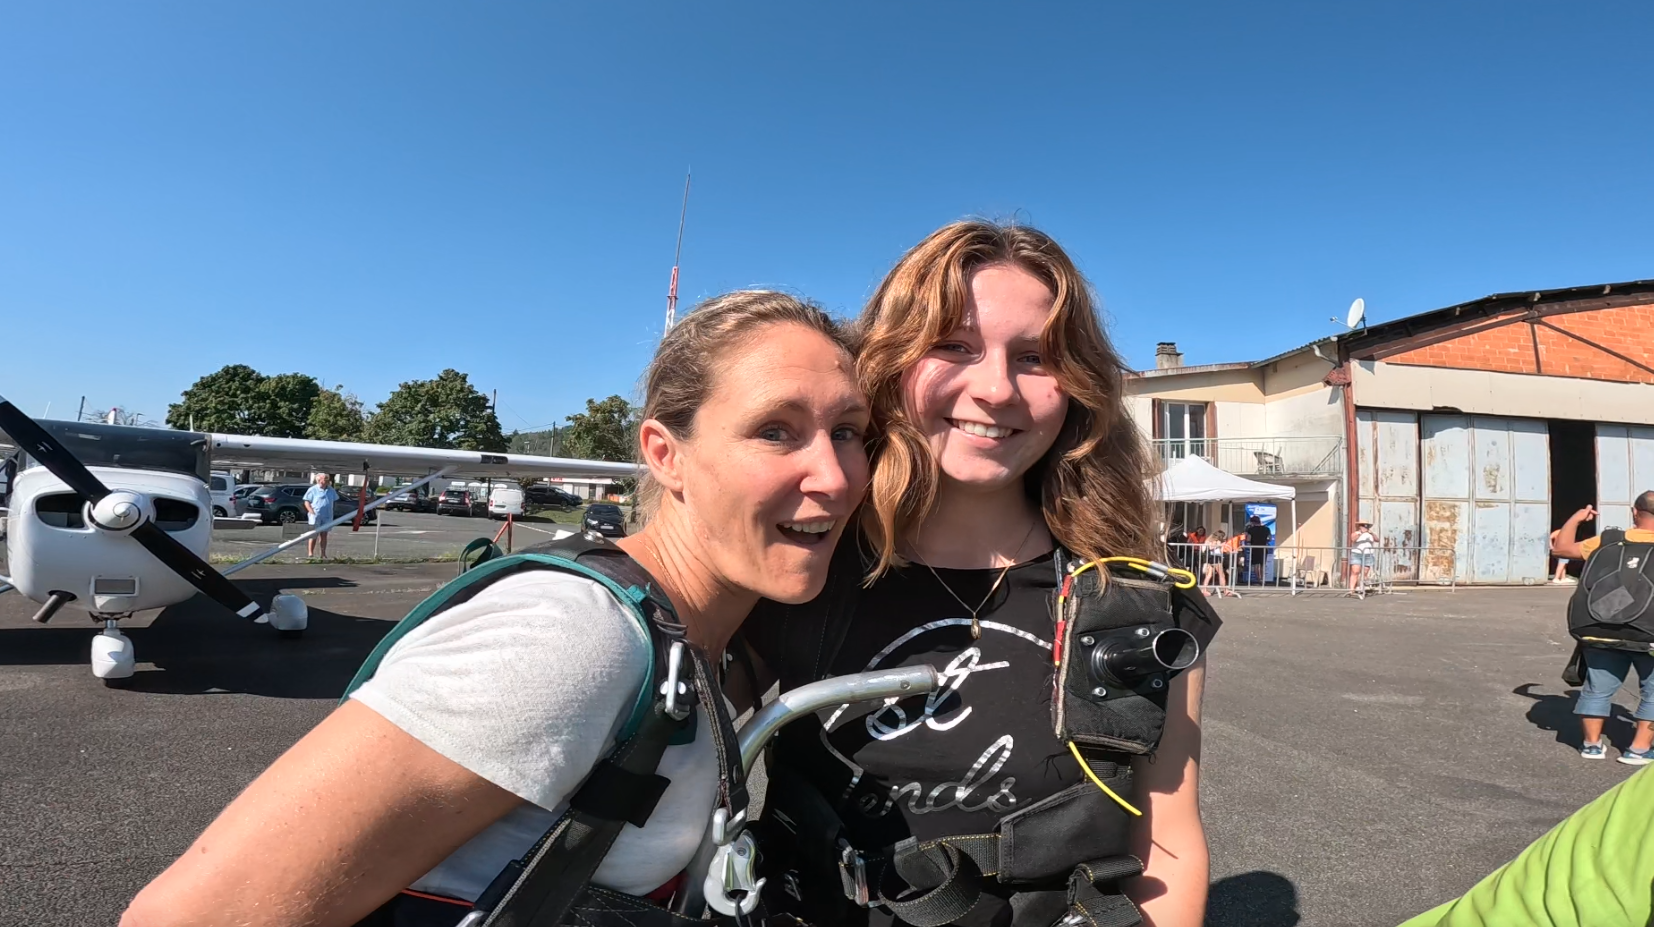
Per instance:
x=480, y=724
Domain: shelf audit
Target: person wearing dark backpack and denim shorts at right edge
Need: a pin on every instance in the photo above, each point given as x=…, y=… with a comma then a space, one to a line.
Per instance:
x=1612, y=615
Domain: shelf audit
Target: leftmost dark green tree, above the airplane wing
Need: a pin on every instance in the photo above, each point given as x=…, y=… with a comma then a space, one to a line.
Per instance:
x=239, y=400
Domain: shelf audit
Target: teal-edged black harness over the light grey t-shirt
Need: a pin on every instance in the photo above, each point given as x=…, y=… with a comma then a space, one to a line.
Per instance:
x=552, y=885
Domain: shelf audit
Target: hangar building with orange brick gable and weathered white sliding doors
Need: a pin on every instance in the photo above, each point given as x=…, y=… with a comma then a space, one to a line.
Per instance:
x=1465, y=435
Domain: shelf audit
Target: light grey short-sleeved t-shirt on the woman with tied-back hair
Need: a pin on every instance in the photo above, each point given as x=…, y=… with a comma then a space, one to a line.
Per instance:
x=527, y=686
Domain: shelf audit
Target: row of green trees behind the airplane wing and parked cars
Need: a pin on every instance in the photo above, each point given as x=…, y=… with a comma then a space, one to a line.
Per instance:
x=446, y=413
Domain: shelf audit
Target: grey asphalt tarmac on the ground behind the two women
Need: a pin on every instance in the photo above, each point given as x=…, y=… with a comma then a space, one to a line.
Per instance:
x=1364, y=759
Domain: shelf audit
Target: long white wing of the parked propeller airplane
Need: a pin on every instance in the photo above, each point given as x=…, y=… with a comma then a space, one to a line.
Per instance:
x=383, y=459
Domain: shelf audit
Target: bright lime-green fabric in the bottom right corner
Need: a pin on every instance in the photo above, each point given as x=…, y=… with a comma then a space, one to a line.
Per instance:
x=1594, y=870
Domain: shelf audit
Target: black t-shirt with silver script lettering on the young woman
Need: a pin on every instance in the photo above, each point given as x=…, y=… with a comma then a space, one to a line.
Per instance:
x=965, y=757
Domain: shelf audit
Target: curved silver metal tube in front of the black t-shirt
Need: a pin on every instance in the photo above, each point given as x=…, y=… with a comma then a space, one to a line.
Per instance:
x=786, y=709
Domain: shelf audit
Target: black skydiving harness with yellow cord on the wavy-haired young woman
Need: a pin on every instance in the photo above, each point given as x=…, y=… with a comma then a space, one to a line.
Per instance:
x=1114, y=653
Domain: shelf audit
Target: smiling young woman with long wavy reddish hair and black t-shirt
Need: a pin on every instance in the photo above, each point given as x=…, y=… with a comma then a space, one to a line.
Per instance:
x=1001, y=436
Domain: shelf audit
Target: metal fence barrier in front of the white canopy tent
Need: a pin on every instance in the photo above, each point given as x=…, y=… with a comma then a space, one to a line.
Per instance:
x=1306, y=570
